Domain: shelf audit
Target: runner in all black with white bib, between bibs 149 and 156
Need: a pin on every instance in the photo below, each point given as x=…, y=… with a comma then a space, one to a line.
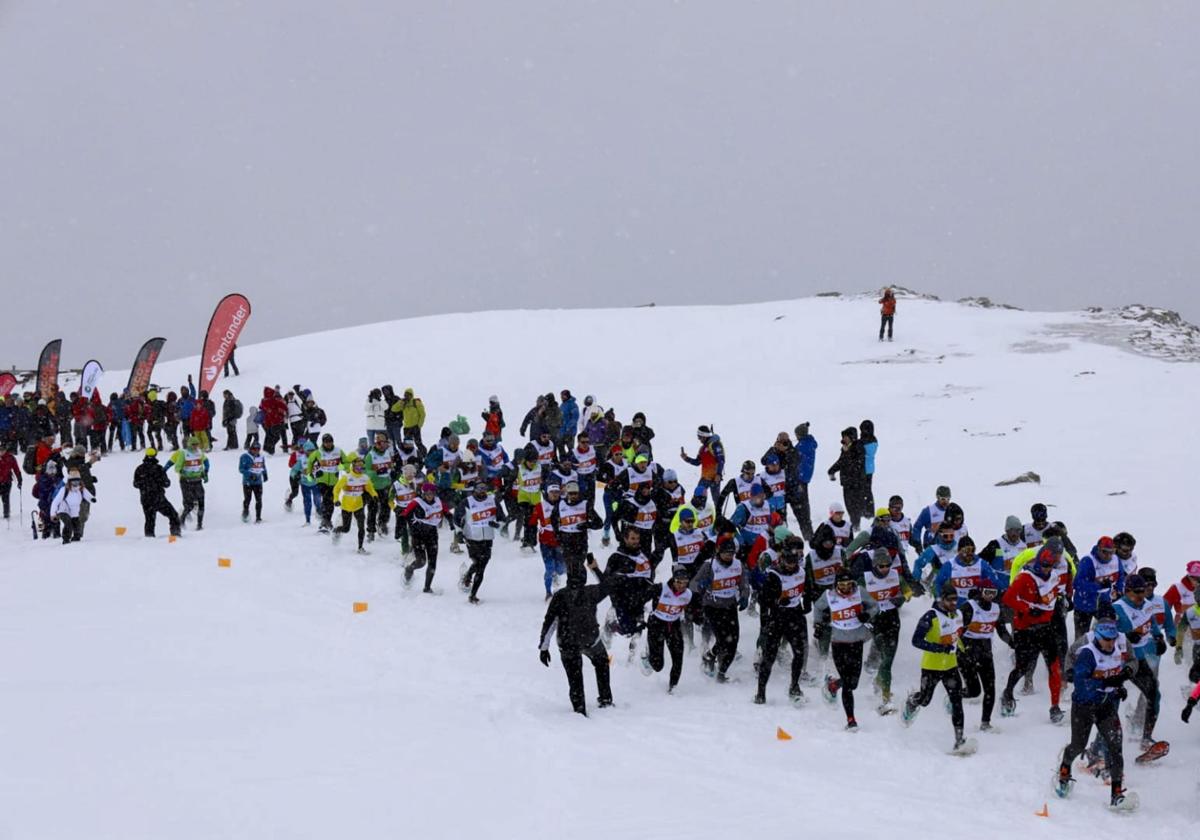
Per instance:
x=783, y=609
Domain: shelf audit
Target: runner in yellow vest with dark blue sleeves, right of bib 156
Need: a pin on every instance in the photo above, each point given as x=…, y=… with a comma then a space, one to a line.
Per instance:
x=938, y=637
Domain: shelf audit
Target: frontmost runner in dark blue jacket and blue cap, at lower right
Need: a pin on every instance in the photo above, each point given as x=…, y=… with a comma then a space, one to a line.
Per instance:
x=1099, y=680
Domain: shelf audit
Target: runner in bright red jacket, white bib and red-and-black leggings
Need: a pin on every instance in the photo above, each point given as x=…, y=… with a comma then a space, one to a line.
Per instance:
x=1033, y=598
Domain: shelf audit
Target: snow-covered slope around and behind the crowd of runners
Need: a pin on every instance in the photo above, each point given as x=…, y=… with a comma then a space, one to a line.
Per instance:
x=149, y=693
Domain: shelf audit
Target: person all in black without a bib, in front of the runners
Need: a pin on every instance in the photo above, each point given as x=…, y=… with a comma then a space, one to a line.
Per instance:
x=572, y=614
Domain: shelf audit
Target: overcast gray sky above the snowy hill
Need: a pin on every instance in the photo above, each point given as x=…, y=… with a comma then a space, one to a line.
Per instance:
x=351, y=163
